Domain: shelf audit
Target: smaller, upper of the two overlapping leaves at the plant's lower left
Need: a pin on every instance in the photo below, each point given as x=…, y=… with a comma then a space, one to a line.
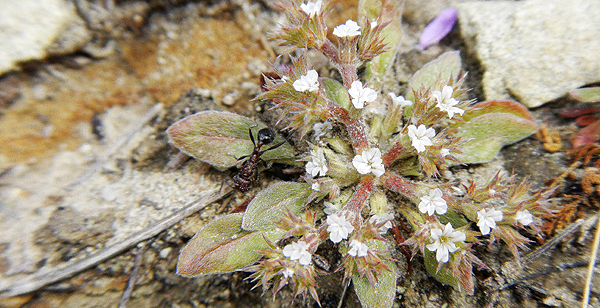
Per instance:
x=270, y=204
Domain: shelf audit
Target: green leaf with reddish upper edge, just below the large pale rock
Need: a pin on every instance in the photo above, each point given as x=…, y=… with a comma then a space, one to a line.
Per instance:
x=489, y=132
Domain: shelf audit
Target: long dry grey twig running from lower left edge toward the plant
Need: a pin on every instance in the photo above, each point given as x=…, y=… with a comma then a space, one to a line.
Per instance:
x=44, y=278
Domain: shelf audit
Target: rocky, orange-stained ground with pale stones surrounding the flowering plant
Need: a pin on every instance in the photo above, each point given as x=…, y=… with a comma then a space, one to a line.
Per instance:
x=83, y=155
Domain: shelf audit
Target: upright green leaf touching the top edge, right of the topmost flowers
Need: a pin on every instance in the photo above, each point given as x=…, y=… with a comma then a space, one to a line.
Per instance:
x=383, y=10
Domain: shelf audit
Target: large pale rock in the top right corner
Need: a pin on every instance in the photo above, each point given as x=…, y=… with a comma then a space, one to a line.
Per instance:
x=536, y=50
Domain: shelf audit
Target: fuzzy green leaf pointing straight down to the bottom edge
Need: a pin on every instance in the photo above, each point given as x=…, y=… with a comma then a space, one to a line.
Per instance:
x=384, y=292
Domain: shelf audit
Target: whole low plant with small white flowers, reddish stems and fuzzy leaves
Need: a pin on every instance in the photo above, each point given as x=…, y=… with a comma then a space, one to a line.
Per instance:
x=366, y=170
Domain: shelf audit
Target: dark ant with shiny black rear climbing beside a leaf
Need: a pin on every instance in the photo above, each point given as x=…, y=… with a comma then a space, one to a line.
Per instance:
x=249, y=171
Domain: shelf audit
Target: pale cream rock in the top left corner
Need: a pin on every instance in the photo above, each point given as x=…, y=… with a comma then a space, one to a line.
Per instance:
x=29, y=28
